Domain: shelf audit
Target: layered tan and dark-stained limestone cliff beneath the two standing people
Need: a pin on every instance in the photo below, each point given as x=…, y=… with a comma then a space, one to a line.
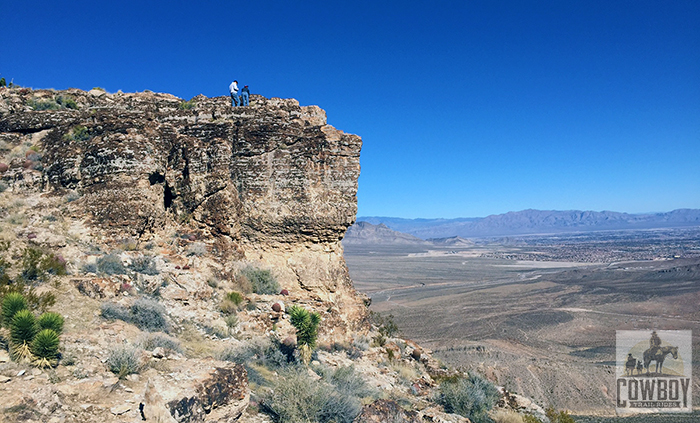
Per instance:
x=271, y=182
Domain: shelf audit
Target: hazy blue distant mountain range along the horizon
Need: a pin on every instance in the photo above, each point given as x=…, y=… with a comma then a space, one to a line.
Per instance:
x=534, y=222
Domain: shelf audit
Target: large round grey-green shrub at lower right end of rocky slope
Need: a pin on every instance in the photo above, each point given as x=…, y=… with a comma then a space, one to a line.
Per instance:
x=470, y=397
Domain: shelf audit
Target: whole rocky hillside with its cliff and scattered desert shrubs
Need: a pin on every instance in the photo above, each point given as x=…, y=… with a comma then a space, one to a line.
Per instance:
x=194, y=253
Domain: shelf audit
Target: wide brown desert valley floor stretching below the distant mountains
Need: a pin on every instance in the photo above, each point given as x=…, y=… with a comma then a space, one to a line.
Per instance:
x=538, y=313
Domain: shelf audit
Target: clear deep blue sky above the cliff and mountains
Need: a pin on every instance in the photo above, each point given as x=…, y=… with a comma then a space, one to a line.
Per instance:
x=466, y=108
